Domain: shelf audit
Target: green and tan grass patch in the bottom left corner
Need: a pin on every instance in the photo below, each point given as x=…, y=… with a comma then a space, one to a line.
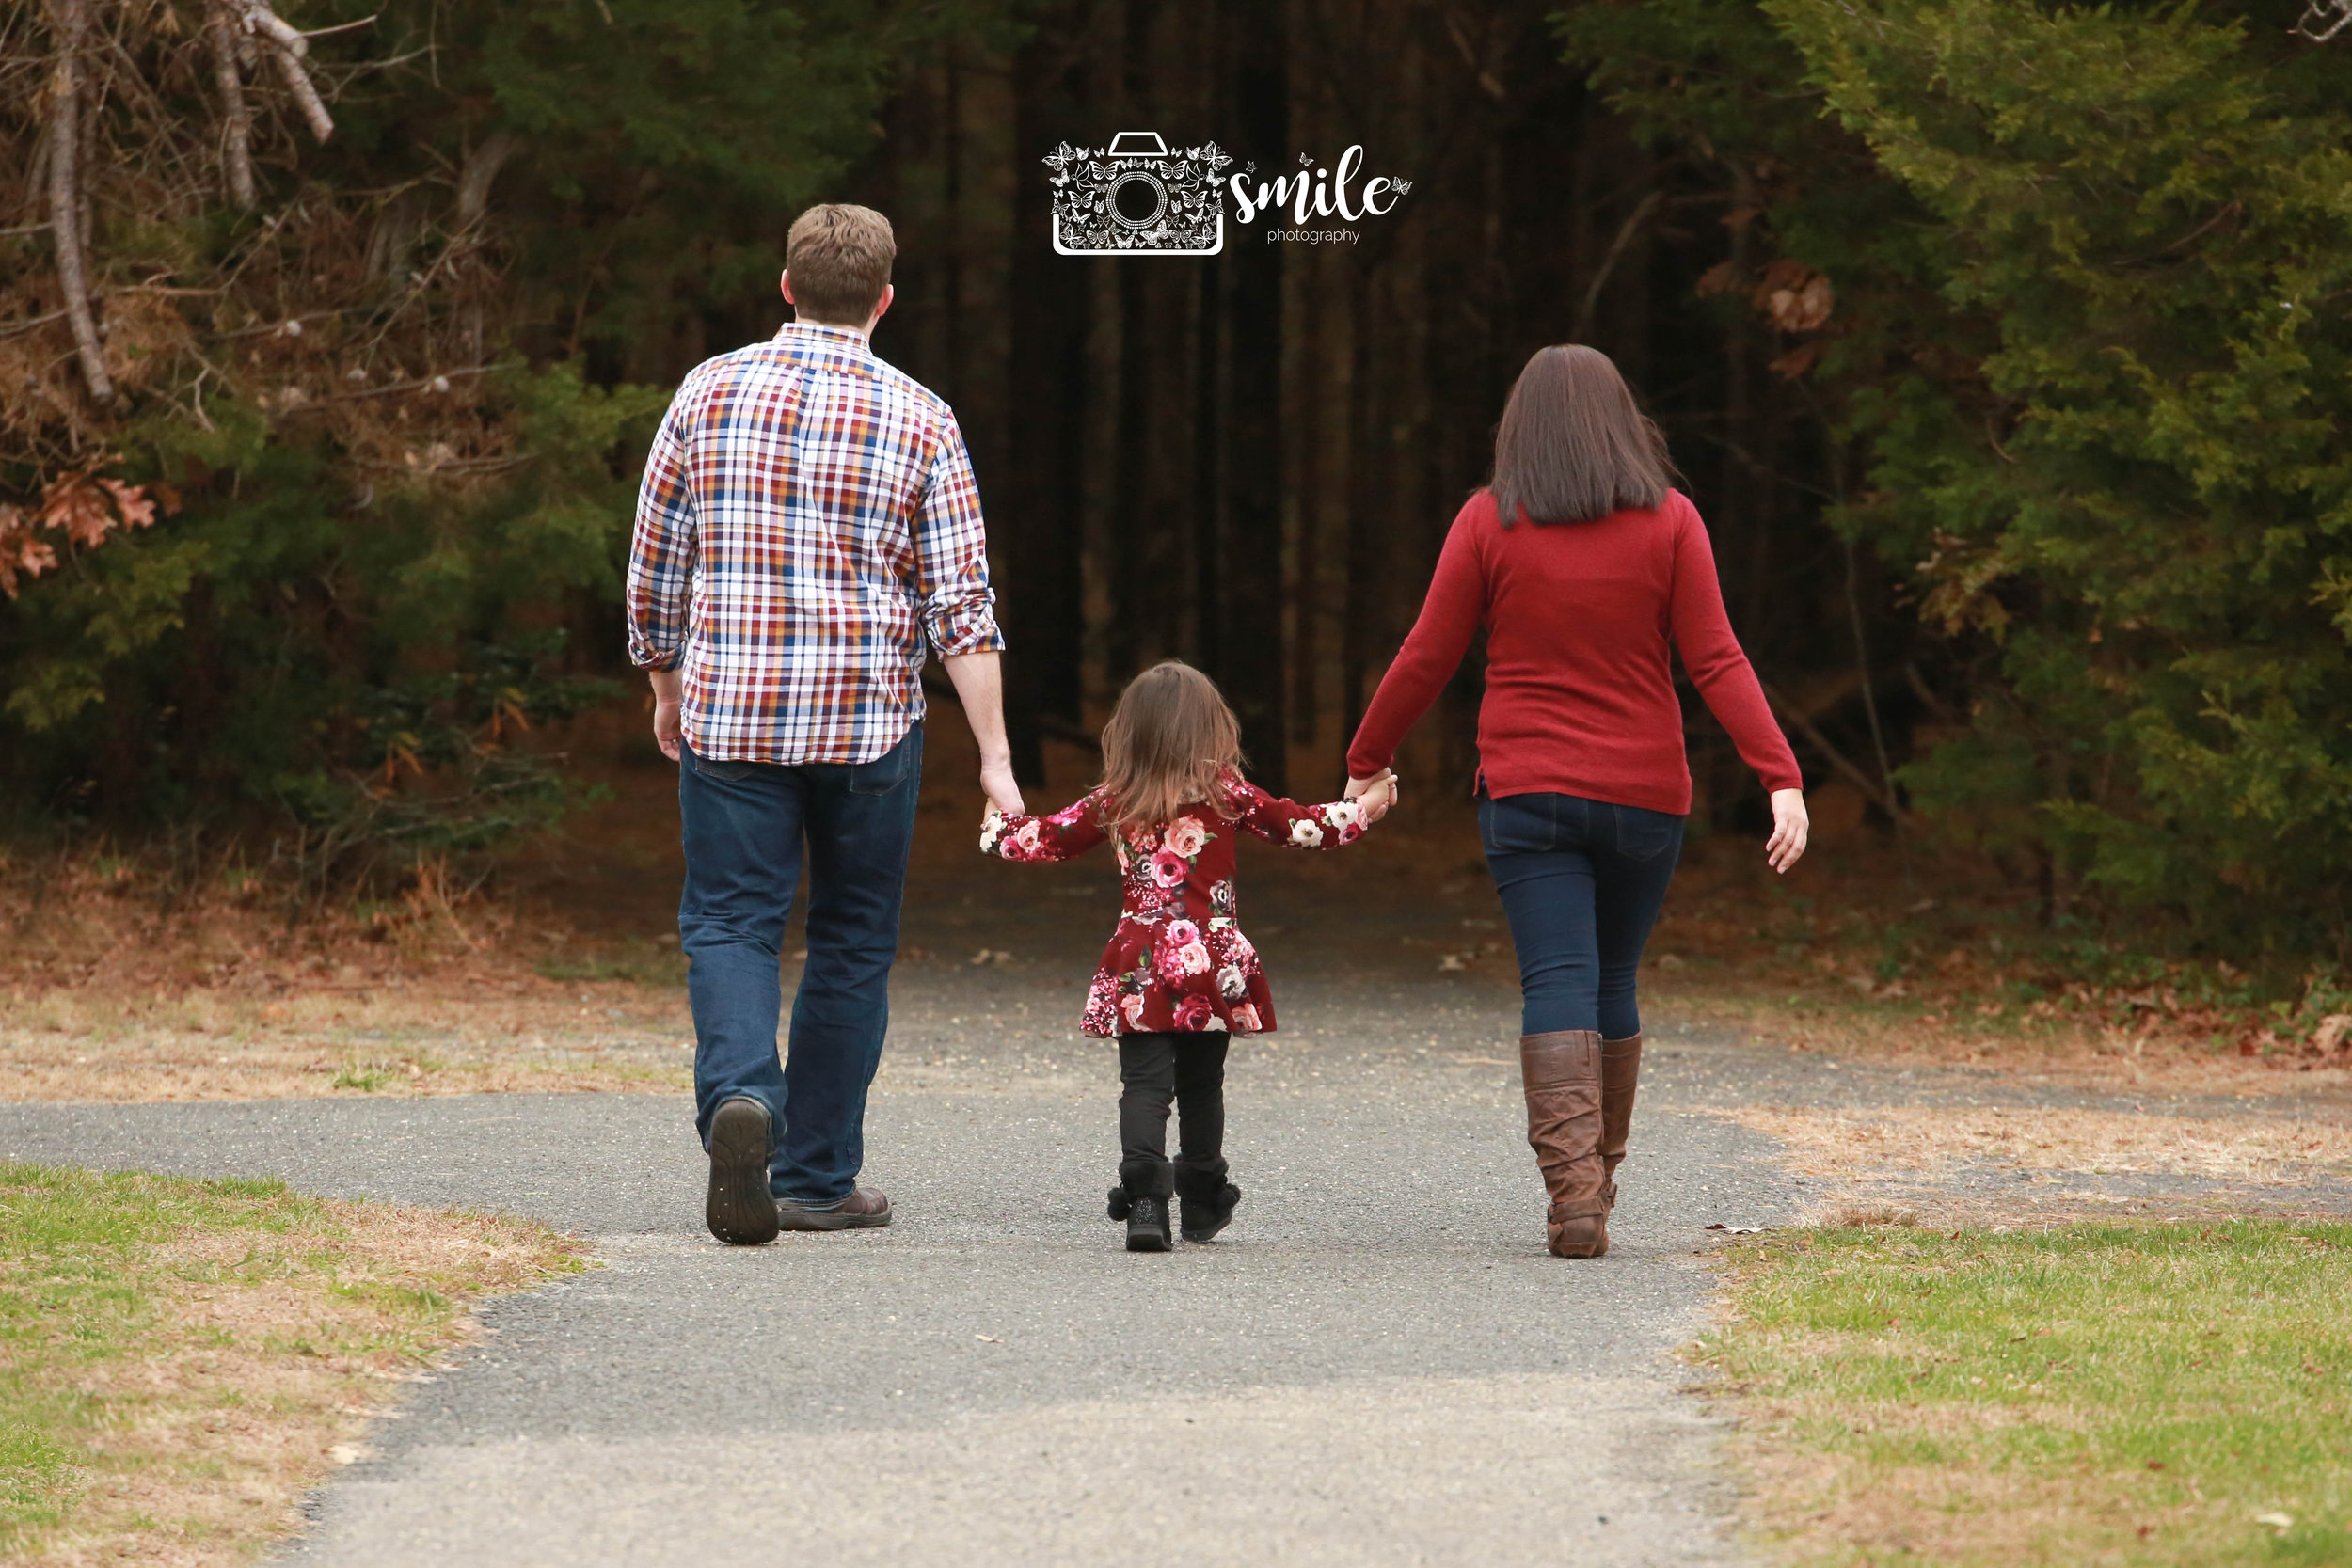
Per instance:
x=182, y=1360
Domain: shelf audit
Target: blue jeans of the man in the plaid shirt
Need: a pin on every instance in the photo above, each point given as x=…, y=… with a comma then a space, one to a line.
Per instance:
x=744, y=826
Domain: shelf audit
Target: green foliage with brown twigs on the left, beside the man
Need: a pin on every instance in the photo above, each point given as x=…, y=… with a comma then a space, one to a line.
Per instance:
x=396, y=406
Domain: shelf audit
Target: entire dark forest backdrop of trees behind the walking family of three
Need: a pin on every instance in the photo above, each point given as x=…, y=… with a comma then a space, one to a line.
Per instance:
x=2000, y=344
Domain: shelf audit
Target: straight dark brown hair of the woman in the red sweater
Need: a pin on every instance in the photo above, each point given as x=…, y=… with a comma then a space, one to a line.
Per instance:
x=1572, y=443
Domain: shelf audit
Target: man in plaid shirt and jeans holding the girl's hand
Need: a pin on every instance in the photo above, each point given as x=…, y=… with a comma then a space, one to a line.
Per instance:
x=808, y=523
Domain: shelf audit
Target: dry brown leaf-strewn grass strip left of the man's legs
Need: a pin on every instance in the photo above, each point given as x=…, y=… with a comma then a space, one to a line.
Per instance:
x=126, y=986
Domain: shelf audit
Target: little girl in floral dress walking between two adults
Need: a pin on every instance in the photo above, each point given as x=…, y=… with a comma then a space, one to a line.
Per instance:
x=1177, y=977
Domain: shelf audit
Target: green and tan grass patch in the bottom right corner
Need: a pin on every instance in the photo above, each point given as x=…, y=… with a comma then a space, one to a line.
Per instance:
x=2080, y=1395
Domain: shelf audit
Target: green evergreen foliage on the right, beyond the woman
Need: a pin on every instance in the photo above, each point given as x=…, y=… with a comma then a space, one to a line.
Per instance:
x=2092, y=361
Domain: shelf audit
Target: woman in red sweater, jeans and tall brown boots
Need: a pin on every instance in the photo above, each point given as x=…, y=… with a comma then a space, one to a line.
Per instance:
x=1584, y=565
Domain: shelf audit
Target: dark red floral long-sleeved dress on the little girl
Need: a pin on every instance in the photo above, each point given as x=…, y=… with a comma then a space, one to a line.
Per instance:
x=1177, y=963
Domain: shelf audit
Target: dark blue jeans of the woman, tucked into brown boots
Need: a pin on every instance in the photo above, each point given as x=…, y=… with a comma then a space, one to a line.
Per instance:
x=1582, y=883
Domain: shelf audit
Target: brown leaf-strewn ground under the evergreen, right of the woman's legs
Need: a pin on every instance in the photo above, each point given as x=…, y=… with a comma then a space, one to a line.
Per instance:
x=1937, y=960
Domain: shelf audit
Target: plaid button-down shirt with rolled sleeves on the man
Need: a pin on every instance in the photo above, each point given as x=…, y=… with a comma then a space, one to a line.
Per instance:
x=808, y=521
